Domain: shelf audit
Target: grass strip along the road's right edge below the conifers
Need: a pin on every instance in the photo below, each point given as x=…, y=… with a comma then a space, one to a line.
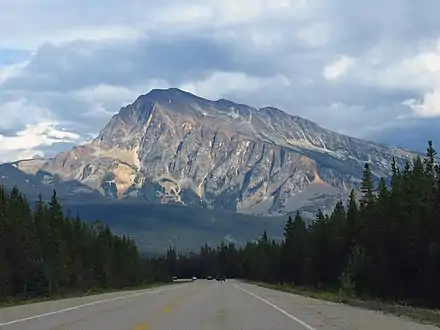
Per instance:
x=421, y=315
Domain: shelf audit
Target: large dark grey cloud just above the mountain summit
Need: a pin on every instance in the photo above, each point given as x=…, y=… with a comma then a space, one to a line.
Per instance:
x=83, y=64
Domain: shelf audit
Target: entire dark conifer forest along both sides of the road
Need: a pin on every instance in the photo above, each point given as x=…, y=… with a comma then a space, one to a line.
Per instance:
x=382, y=244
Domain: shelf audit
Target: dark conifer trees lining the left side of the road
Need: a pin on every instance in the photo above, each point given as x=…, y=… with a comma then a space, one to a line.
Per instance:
x=44, y=251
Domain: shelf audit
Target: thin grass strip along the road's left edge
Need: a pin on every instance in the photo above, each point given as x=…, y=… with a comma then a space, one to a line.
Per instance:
x=16, y=301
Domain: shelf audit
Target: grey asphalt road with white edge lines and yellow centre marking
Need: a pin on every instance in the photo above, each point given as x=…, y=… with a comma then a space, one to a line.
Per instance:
x=200, y=305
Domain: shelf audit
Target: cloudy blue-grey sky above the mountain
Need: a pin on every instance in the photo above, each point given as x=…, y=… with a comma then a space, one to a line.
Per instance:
x=370, y=69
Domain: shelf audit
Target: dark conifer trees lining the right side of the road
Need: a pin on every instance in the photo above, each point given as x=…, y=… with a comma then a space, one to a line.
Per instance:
x=384, y=243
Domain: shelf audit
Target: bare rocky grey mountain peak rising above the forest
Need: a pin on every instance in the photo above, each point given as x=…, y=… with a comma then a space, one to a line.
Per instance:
x=172, y=147
